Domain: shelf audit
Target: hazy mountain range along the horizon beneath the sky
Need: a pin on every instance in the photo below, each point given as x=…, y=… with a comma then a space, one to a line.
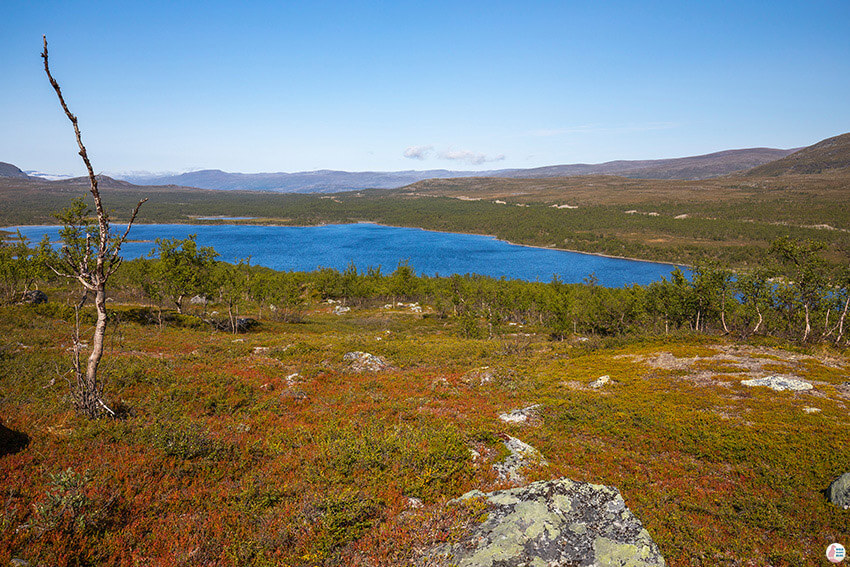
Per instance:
x=828, y=155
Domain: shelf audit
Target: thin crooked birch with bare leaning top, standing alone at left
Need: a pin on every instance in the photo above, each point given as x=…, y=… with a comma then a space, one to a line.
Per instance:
x=91, y=267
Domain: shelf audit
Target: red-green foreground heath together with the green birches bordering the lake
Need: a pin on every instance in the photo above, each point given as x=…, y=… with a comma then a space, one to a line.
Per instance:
x=240, y=443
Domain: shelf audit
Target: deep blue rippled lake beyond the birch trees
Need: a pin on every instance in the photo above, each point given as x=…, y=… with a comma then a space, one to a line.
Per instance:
x=371, y=245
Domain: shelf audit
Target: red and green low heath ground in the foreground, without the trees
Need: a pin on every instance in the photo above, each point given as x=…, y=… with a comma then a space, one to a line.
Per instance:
x=264, y=448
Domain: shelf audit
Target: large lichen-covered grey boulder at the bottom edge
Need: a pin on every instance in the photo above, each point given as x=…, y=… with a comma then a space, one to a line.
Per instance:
x=556, y=523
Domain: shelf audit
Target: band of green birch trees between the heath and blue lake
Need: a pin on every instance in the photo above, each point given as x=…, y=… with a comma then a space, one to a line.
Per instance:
x=795, y=296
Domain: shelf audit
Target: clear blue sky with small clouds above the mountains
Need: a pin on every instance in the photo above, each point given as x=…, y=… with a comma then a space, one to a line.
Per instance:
x=292, y=86
